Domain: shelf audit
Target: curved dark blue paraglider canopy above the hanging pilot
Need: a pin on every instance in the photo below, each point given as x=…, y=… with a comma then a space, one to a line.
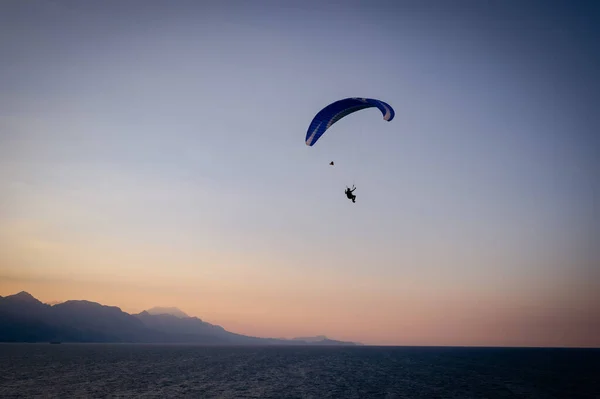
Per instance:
x=339, y=109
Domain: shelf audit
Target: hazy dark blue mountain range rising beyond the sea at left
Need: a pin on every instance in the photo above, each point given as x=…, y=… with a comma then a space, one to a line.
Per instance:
x=23, y=318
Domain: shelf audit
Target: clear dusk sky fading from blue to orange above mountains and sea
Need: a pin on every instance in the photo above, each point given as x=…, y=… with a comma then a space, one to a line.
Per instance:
x=152, y=154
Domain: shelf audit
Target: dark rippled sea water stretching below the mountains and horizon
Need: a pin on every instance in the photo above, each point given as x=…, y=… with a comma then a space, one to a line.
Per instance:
x=123, y=370
